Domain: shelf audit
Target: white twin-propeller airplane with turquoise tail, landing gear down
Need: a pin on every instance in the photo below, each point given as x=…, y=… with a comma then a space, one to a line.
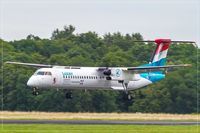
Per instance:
x=110, y=78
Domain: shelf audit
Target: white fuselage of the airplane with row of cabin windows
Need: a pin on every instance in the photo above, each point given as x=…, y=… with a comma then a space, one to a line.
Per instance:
x=84, y=78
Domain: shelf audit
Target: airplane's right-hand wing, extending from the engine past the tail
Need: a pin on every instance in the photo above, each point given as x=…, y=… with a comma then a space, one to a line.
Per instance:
x=154, y=68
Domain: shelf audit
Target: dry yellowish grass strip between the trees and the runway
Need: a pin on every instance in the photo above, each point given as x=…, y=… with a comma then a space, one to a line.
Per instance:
x=96, y=116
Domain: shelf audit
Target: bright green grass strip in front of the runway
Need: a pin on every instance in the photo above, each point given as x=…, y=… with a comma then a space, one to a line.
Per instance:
x=45, y=128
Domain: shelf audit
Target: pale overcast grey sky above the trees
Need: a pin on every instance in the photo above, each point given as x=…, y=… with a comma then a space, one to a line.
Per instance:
x=174, y=19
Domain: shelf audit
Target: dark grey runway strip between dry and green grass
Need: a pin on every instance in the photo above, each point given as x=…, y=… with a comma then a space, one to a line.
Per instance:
x=91, y=122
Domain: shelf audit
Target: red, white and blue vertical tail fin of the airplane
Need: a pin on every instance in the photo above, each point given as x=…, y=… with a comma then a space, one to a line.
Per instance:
x=159, y=56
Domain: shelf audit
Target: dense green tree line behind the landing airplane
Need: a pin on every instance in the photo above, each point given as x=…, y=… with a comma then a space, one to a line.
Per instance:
x=177, y=93
